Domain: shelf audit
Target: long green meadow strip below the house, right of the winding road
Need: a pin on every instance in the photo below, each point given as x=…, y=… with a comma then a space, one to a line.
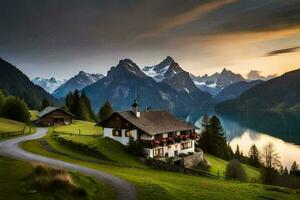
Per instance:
x=155, y=184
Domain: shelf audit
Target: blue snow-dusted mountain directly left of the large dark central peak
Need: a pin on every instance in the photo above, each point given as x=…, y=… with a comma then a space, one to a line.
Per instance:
x=80, y=81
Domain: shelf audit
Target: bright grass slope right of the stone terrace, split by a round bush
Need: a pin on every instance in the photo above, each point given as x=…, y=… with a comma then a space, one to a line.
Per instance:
x=219, y=165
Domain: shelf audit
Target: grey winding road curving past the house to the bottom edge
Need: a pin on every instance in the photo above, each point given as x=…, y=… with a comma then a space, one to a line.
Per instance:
x=11, y=148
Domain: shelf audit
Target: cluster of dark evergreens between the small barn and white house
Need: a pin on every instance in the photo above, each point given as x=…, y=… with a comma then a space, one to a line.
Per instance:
x=80, y=106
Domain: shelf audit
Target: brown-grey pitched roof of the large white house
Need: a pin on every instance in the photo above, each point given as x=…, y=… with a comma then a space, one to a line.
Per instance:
x=154, y=122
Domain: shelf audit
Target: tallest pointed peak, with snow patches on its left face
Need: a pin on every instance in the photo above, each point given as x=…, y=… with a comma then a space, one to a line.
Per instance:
x=169, y=72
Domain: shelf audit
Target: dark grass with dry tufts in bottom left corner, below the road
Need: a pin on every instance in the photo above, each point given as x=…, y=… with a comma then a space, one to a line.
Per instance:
x=20, y=180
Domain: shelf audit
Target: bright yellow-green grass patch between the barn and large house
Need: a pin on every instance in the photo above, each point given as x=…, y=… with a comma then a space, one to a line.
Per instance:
x=82, y=127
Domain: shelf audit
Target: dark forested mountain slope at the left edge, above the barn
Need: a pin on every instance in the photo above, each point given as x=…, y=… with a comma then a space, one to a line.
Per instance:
x=15, y=82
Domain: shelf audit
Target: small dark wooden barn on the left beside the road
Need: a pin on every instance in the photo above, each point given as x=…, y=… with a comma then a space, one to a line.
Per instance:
x=51, y=116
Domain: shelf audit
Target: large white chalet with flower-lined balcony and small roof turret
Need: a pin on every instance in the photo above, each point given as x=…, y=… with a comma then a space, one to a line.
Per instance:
x=162, y=134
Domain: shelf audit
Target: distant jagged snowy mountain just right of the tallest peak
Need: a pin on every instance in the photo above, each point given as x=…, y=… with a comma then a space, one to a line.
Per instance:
x=216, y=82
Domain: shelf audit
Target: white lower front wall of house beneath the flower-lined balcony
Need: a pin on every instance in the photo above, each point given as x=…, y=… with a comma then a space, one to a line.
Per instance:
x=170, y=149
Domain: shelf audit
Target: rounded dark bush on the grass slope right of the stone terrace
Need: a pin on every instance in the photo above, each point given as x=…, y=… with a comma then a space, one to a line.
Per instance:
x=235, y=170
